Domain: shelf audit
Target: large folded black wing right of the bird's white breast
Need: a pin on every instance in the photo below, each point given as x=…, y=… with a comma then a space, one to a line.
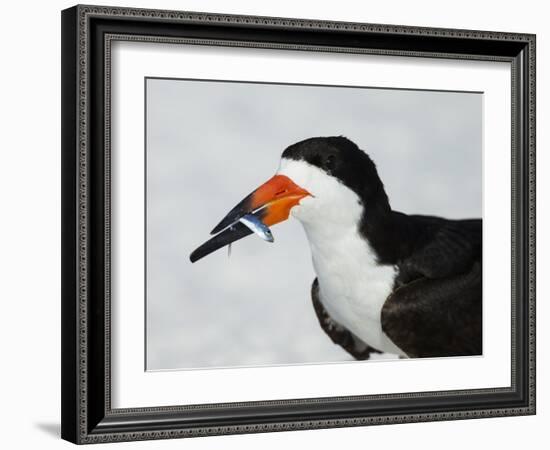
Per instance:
x=436, y=306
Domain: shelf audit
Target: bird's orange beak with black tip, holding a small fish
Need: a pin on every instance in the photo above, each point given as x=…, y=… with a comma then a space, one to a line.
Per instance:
x=270, y=203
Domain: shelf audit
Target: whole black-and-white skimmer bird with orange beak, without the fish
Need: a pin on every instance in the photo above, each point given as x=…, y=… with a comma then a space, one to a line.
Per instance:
x=410, y=285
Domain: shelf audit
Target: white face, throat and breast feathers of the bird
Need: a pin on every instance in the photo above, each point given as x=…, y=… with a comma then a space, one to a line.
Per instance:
x=353, y=286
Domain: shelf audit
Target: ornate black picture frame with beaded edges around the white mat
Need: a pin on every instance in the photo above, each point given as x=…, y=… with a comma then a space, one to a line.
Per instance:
x=87, y=34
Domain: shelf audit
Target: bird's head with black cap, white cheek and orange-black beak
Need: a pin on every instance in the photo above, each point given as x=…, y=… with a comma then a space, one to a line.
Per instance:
x=319, y=180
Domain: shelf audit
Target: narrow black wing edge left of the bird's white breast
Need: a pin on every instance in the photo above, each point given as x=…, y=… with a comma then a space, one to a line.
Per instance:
x=337, y=333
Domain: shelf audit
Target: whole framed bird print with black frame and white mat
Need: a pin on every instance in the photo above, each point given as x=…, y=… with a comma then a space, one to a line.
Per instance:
x=278, y=224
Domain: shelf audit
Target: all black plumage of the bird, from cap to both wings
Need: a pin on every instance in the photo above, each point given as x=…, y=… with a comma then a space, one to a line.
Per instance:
x=435, y=308
